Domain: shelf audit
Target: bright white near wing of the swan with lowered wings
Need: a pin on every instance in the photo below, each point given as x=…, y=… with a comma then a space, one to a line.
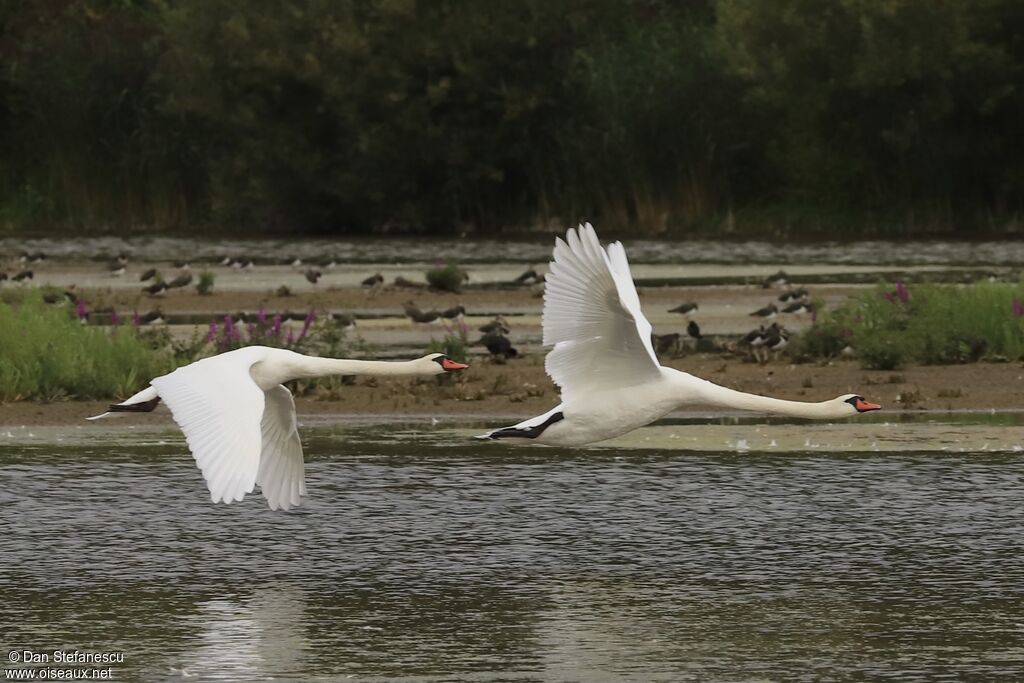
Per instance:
x=220, y=409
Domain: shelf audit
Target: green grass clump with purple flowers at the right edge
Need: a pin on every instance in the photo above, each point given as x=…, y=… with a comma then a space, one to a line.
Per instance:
x=929, y=325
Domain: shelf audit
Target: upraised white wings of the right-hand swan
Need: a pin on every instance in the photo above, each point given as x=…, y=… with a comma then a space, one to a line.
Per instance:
x=592, y=318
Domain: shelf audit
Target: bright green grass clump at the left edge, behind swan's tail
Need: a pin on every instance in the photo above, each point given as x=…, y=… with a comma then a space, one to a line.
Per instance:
x=49, y=355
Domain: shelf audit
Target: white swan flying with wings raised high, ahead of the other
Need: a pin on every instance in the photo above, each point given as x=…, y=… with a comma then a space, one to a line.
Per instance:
x=603, y=359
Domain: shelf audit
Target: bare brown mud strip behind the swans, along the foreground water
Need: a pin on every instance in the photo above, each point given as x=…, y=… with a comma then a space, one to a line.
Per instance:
x=521, y=389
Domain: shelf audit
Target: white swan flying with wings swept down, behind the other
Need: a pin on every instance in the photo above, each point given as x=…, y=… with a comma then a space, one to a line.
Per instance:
x=239, y=419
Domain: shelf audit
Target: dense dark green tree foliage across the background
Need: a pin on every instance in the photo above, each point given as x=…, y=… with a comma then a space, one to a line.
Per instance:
x=344, y=116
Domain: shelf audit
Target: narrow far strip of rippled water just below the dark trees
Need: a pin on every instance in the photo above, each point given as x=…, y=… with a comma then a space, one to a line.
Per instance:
x=536, y=250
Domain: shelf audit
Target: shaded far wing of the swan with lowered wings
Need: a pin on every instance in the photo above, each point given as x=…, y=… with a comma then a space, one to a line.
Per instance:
x=282, y=475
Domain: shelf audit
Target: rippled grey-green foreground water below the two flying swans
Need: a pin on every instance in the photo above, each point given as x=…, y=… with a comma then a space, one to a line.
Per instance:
x=749, y=551
